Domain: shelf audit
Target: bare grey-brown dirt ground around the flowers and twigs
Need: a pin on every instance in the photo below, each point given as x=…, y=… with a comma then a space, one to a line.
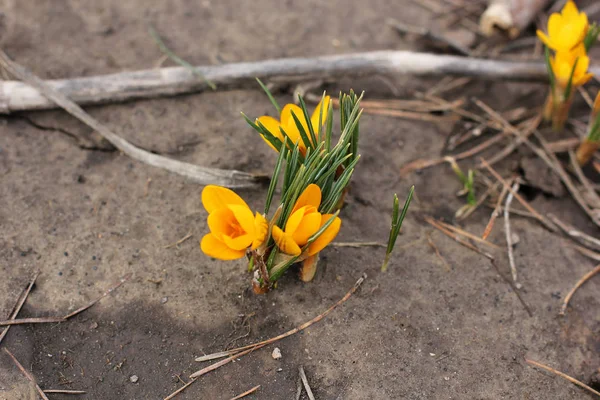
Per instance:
x=83, y=218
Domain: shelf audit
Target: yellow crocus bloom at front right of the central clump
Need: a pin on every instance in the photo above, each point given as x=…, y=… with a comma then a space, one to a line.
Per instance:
x=304, y=221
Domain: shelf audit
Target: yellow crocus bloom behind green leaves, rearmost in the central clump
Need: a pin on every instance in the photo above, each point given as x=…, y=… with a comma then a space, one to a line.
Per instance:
x=287, y=123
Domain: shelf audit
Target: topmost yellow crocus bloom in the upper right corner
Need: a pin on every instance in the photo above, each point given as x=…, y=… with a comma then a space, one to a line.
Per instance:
x=565, y=30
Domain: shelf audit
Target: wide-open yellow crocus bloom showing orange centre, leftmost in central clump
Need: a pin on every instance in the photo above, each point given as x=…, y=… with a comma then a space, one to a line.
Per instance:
x=233, y=226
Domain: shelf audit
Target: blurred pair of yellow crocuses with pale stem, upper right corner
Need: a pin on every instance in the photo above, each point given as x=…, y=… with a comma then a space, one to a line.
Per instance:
x=570, y=36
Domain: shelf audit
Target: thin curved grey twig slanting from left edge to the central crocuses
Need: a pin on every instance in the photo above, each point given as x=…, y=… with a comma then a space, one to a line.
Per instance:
x=202, y=175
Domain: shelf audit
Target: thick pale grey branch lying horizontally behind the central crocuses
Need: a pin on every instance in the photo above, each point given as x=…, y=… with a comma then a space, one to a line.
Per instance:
x=17, y=96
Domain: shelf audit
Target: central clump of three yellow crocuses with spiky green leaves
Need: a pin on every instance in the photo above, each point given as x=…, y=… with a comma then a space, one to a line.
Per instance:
x=316, y=175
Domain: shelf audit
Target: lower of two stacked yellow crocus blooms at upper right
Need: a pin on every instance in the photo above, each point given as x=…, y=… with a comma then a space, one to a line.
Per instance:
x=562, y=67
